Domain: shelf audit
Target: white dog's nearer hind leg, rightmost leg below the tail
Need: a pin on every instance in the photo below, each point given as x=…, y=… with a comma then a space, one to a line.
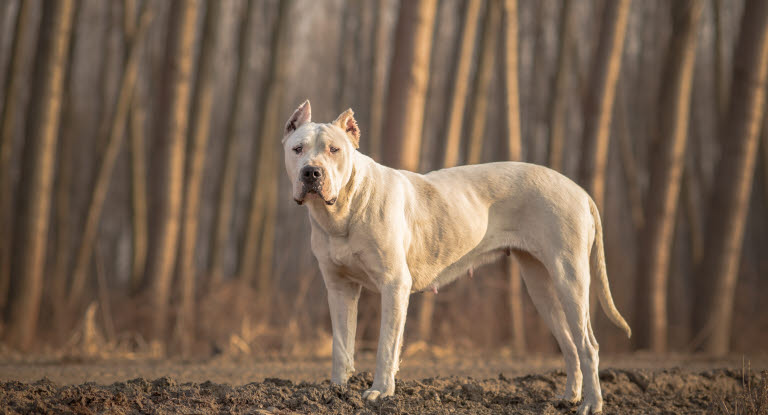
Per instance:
x=572, y=285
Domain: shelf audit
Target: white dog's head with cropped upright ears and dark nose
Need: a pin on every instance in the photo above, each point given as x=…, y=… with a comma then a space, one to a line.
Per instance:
x=318, y=157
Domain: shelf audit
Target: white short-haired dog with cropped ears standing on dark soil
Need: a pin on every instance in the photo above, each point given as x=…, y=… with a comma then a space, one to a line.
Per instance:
x=397, y=232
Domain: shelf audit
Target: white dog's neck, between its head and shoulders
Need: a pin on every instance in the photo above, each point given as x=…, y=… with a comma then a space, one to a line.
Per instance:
x=334, y=219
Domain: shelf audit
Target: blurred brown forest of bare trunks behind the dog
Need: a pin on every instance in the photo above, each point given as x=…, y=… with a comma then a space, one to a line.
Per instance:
x=144, y=206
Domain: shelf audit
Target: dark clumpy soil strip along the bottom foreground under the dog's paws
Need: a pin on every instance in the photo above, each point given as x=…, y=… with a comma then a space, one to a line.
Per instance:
x=624, y=391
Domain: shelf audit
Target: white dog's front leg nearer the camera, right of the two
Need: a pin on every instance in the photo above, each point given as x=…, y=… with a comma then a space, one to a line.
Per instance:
x=394, y=305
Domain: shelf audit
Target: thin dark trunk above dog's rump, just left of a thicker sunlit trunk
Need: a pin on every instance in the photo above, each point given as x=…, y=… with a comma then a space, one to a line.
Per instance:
x=557, y=109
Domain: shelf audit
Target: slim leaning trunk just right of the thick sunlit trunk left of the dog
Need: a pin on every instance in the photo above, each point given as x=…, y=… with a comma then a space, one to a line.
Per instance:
x=199, y=133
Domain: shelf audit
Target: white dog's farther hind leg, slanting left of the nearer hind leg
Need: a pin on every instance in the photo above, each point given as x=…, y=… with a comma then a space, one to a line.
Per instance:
x=544, y=296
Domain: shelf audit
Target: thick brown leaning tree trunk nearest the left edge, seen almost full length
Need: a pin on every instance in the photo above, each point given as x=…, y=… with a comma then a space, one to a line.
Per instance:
x=31, y=236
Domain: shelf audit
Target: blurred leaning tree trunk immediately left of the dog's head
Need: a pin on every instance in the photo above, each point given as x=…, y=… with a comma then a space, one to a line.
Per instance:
x=257, y=254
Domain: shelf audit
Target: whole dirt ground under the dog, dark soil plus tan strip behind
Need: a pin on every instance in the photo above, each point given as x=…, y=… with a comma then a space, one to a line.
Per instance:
x=427, y=384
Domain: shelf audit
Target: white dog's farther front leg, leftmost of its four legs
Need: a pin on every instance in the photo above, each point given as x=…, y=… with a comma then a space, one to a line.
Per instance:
x=342, y=300
